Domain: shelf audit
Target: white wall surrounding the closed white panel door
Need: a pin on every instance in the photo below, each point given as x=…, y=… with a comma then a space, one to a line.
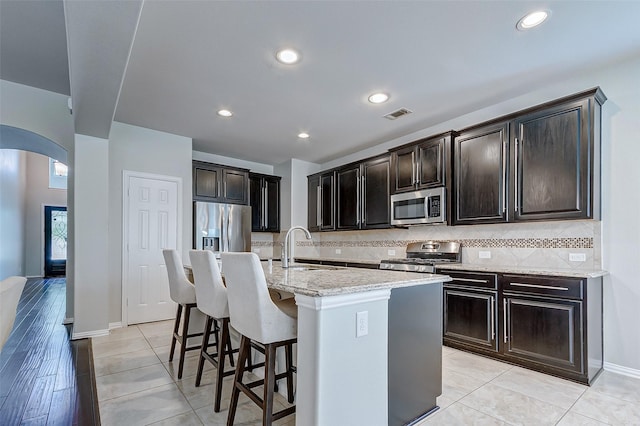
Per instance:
x=138, y=149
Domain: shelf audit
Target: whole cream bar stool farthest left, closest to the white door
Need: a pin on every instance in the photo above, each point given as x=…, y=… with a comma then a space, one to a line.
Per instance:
x=184, y=294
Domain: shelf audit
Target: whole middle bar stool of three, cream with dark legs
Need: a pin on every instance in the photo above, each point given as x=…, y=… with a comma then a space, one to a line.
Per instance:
x=211, y=298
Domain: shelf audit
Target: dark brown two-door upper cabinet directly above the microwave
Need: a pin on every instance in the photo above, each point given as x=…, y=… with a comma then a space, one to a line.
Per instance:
x=422, y=164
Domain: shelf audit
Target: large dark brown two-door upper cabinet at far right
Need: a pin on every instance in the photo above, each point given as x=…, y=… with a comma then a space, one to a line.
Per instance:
x=539, y=164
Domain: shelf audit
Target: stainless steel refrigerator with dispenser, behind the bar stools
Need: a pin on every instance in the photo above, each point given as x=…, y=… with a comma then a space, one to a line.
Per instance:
x=221, y=227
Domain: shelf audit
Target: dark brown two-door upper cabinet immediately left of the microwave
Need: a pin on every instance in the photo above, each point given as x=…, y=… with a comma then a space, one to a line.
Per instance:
x=362, y=194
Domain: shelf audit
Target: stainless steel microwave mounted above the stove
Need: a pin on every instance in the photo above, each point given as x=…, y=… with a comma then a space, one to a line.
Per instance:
x=427, y=206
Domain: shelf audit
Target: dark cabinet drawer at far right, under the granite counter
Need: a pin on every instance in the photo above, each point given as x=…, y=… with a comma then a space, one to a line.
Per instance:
x=548, y=286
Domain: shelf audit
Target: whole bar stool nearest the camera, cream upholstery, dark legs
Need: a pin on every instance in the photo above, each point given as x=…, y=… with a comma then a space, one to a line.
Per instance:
x=259, y=320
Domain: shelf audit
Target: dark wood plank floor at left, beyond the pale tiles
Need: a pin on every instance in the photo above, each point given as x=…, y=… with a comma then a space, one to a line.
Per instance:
x=45, y=378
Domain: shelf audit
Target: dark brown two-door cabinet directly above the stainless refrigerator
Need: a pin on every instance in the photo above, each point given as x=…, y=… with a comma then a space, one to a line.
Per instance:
x=216, y=183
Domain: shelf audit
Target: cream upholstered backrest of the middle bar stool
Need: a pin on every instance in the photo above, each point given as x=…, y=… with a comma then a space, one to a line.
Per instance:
x=211, y=294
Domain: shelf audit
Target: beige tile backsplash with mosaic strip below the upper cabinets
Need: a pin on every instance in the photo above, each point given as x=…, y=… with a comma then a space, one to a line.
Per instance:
x=534, y=244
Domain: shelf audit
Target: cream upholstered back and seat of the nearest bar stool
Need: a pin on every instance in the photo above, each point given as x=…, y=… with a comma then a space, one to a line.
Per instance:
x=251, y=309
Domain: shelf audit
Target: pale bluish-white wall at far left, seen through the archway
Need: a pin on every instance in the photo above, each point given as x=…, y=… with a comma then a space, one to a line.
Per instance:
x=12, y=212
